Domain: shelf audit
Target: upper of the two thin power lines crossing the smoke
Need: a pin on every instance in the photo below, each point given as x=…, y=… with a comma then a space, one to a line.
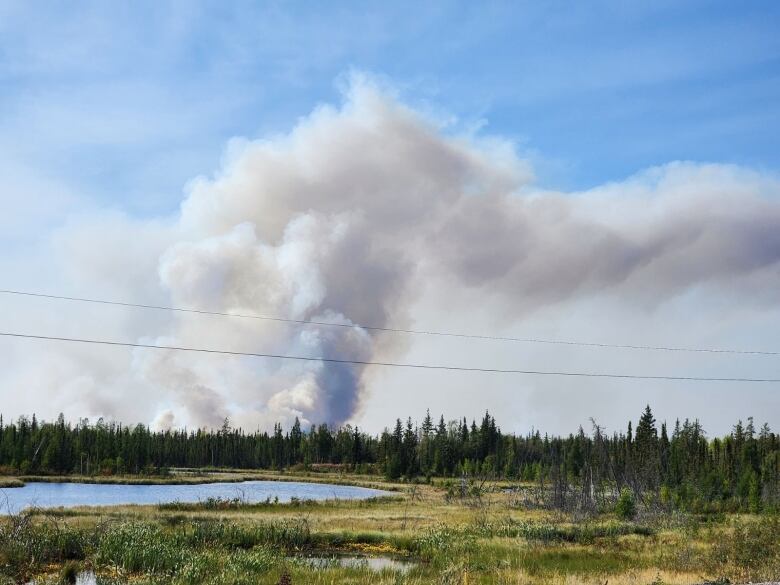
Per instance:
x=394, y=329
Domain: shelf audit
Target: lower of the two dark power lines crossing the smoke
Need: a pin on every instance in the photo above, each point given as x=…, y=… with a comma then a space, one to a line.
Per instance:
x=386, y=364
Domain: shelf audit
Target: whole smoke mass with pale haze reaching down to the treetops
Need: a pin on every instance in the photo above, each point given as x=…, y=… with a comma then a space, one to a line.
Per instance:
x=371, y=214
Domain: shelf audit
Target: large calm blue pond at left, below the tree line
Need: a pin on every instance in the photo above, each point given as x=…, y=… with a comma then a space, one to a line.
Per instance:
x=68, y=495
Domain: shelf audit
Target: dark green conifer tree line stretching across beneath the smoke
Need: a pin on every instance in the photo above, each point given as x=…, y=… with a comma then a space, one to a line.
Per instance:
x=676, y=467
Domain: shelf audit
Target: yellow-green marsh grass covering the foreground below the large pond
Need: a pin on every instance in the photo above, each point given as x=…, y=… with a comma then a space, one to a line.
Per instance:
x=452, y=542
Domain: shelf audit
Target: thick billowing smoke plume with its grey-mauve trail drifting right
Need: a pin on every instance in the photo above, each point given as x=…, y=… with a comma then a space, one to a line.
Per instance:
x=346, y=219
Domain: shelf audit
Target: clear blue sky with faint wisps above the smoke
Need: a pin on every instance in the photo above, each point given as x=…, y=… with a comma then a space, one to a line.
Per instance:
x=125, y=102
